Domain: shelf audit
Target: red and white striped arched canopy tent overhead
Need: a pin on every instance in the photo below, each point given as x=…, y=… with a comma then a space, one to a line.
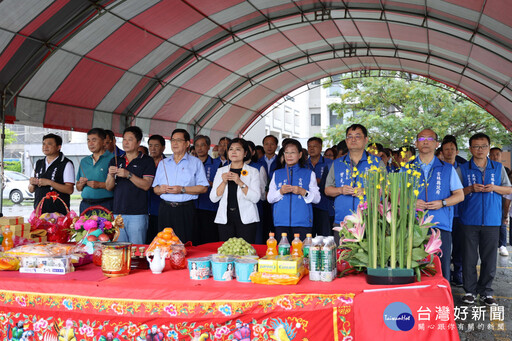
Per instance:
x=213, y=66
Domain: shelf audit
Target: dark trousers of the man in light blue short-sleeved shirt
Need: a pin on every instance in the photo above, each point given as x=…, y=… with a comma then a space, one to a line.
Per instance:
x=181, y=217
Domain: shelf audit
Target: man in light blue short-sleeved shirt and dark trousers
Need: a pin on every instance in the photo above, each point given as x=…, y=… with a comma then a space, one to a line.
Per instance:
x=179, y=179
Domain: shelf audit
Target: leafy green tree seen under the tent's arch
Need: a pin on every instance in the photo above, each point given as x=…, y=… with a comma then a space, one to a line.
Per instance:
x=395, y=109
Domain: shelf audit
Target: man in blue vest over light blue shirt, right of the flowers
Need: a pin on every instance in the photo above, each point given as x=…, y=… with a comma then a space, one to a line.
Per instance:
x=440, y=189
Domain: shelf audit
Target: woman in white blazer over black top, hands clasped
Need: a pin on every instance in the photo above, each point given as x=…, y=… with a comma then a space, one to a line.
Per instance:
x=237, y=187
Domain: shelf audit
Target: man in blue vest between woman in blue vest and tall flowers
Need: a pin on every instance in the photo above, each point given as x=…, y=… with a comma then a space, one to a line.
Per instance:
x=344, y=181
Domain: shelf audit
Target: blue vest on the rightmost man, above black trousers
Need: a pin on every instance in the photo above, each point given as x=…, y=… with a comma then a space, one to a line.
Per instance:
x=482, y=209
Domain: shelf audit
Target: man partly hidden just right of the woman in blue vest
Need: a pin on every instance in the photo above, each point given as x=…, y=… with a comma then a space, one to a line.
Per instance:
x=322, y=224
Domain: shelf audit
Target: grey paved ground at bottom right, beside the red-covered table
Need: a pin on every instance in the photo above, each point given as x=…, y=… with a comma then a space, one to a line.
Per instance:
x=478, y=325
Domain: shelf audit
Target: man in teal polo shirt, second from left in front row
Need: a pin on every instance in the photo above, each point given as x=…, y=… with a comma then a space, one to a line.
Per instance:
x=92, y=173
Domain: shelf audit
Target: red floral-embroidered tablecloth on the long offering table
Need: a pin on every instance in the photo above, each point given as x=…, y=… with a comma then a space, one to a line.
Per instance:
x=180, y=308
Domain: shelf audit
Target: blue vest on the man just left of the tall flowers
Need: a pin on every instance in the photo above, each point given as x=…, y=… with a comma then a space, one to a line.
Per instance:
x=346, y=204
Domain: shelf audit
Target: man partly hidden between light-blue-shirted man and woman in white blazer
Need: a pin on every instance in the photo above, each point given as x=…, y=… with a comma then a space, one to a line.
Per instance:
x=206, y=209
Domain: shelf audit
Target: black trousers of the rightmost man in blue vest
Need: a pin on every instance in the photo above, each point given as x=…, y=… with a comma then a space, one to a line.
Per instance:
x=481, y=240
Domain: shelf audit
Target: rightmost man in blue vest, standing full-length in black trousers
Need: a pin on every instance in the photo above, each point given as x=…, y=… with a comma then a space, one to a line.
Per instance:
x=485, y=182
